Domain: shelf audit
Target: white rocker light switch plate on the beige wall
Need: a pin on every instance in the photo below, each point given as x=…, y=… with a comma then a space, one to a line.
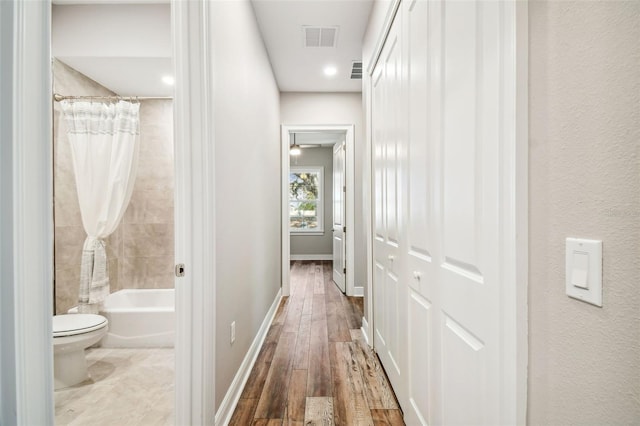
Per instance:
x=584, y=270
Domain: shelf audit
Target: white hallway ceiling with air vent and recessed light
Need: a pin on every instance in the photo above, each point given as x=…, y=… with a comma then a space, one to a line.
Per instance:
x=300, y=69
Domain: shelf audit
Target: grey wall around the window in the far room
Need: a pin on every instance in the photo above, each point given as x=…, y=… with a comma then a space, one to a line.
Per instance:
x=320, y=243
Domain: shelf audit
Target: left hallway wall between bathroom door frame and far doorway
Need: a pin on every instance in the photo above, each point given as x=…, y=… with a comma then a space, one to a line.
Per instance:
x=247, y=151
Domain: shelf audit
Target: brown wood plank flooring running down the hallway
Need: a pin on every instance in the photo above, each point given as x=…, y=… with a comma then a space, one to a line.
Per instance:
x=314, y=367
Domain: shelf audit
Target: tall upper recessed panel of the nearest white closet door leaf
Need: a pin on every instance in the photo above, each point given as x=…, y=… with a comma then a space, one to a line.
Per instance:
x=462, y=173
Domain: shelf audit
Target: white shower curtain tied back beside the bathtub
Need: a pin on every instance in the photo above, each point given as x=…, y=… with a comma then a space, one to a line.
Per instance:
x=104, y=142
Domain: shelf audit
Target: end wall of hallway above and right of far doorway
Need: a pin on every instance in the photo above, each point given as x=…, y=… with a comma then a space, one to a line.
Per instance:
x=336, y=108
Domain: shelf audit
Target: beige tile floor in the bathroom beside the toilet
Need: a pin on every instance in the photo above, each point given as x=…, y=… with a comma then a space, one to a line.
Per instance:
x=127, y=387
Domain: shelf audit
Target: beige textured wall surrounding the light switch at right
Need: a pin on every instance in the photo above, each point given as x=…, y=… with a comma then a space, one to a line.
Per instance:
x=584, y=364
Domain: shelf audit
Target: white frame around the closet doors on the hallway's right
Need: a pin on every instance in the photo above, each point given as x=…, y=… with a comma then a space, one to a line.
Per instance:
x=515, y=170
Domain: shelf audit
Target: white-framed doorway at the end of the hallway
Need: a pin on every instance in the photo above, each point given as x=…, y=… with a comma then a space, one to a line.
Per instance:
x=339, y=144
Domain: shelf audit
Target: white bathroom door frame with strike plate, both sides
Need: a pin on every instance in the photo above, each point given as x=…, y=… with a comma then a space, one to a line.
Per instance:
x=26, y=223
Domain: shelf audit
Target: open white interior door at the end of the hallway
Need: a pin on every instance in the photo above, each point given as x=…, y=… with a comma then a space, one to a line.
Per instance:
x=339, y=228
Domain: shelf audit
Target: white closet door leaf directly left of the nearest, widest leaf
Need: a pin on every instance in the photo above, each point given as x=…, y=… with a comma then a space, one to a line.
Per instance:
x=421, y=240
